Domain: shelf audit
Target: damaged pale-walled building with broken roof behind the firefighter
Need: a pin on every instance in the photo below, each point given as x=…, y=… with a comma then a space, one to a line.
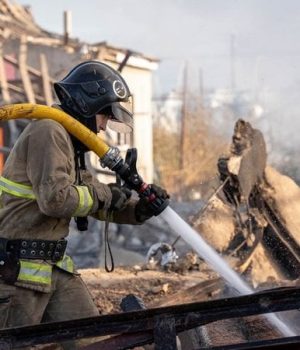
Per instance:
x=31, y=59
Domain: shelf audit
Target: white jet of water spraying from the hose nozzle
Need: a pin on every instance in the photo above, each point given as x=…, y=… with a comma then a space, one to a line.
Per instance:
x=193, y=238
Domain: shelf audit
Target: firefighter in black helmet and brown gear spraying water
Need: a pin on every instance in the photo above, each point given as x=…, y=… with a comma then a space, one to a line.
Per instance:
x=44, y=184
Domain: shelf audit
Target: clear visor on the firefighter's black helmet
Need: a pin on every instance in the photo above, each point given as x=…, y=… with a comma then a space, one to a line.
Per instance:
x=122, y=117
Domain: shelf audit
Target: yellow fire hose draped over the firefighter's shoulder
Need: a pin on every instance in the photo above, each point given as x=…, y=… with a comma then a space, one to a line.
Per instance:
x=33, y=111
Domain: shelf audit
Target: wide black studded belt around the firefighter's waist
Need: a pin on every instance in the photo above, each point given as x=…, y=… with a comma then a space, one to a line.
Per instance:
x=37, y=249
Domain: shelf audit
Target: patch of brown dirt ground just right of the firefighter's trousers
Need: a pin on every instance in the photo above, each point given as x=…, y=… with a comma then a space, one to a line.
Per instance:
x=151, y=286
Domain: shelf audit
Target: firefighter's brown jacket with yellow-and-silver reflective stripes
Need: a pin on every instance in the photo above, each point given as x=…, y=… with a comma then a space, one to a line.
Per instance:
x=39, y=196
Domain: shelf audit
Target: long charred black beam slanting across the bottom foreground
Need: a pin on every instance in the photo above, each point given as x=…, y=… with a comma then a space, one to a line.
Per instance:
x=186, y=316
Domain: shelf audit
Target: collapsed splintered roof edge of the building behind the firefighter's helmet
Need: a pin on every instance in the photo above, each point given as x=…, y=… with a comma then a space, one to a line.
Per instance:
x=17, y=21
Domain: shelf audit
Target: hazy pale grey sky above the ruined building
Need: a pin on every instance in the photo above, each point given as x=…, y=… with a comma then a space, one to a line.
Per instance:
x=266, y=32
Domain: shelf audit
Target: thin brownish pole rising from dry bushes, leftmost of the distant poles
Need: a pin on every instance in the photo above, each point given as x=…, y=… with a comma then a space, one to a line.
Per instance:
x=183, y=117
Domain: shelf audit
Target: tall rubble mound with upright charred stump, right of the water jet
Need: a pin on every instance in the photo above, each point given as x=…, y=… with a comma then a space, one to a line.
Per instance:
x=239, y=220
